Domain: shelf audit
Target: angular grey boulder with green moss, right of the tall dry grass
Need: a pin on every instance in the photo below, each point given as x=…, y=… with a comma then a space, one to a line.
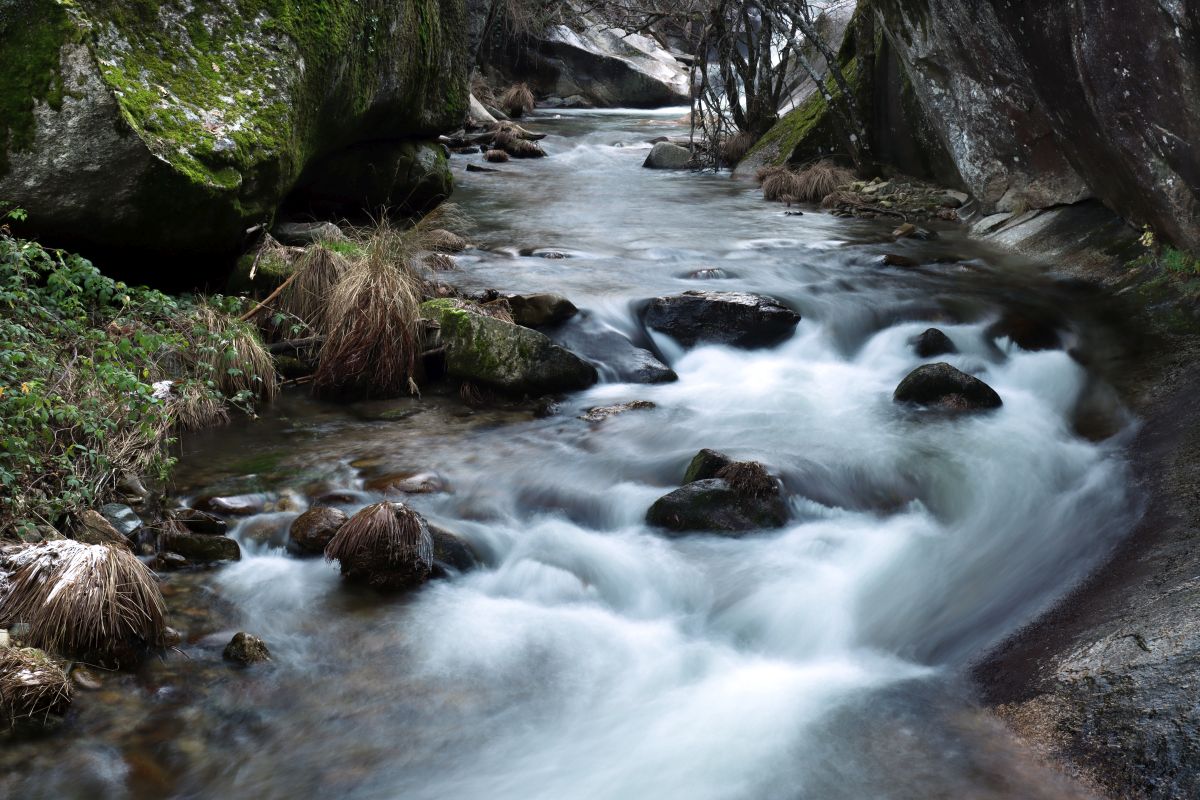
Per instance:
x=502, y=356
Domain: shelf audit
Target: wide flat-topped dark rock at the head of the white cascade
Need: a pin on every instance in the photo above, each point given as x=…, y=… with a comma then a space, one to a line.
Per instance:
x=735, y=318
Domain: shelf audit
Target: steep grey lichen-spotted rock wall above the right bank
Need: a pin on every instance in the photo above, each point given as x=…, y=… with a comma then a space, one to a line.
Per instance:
x=1048, y=105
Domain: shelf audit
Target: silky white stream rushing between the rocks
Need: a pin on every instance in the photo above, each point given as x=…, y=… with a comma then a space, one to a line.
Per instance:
x=592, y=658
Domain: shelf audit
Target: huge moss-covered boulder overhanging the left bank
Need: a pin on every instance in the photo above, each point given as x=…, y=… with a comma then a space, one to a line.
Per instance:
x=178, y=127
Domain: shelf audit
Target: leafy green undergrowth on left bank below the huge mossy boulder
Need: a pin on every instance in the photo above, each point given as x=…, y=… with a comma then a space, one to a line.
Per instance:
x=80, y=358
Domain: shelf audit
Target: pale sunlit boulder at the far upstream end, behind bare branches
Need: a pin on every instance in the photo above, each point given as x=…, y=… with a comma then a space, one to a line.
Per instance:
x=604, y=68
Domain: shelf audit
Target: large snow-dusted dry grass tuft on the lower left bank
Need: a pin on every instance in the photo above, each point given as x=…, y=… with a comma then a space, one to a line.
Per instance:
x=83, y=600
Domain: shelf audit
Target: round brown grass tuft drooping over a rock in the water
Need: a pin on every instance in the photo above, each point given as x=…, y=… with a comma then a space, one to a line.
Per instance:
x=387, y=545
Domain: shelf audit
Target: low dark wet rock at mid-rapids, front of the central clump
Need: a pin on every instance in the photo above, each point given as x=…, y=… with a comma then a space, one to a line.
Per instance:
x=713, y=506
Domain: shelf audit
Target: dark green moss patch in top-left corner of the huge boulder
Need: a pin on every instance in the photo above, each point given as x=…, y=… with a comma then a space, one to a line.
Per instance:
x=32, y=38
